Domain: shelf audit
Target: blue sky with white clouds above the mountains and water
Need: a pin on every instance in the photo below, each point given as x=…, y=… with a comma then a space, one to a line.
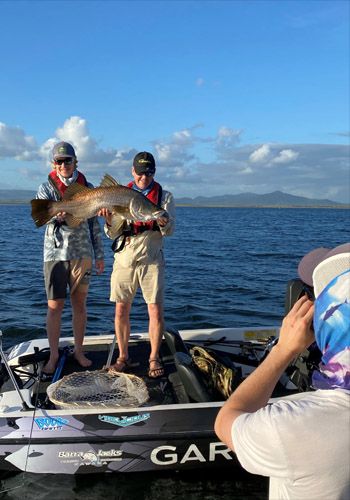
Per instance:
x=230, y=96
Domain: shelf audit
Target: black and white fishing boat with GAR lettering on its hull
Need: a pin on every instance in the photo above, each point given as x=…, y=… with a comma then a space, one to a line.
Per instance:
x=171, y=429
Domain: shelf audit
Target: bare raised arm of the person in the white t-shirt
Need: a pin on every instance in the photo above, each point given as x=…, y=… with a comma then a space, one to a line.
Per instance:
x=255, y=391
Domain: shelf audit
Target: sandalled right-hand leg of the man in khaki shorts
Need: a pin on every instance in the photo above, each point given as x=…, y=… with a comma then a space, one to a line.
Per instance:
x=156, y=327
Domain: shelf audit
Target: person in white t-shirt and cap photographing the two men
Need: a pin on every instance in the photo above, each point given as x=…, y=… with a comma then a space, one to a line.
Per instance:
x=302, y=441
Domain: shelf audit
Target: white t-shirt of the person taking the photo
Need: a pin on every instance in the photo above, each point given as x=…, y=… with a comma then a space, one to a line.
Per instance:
x=302, y=442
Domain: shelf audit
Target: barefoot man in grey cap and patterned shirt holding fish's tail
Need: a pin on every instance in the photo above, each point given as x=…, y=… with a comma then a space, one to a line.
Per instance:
x=68, y=254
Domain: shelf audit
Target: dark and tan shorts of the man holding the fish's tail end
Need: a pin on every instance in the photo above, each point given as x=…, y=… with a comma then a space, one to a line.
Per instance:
x=59, y=275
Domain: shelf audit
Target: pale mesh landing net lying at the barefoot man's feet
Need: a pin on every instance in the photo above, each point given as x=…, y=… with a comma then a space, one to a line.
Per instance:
x=89, y=389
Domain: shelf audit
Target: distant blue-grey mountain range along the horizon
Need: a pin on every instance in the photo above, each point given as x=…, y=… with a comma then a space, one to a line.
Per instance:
x=275, y=199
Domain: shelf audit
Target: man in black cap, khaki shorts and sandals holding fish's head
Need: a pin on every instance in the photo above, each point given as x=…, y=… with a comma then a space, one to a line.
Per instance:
x=139, y=262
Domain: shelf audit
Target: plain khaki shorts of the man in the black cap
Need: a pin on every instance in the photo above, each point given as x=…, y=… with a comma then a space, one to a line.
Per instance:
x=126, y=280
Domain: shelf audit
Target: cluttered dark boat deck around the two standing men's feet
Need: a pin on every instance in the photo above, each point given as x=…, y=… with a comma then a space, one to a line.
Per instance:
x=182, y=381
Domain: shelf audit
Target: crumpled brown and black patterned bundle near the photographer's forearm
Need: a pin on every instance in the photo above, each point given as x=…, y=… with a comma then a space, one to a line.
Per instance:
x=218, y=377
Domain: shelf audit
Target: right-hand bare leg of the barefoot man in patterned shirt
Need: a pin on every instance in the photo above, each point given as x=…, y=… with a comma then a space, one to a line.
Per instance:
x=78, y=300
